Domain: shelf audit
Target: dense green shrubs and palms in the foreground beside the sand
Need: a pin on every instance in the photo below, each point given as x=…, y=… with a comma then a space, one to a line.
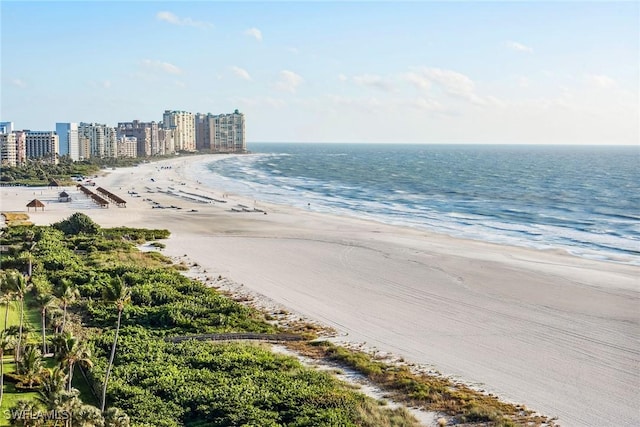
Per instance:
x=115, y=309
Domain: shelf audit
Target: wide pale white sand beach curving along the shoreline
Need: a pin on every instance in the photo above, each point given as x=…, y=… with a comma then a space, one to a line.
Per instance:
x=558, y=333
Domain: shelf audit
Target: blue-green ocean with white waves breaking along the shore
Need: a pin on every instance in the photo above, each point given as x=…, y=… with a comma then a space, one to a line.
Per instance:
x=585, y=200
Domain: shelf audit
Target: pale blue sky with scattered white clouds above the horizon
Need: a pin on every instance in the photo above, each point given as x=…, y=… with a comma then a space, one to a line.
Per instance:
x=507, y=72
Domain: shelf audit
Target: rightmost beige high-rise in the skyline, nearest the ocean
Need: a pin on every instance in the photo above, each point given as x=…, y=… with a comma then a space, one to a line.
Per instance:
x=221, y=133
